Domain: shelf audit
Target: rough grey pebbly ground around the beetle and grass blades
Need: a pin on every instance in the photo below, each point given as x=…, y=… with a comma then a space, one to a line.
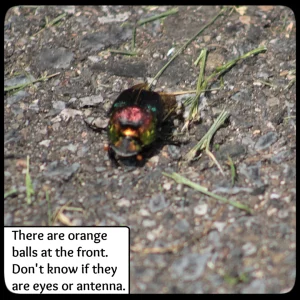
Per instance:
x=224, y=249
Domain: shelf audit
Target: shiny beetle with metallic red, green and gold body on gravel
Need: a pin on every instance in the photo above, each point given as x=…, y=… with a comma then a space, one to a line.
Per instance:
x=135, y=118
